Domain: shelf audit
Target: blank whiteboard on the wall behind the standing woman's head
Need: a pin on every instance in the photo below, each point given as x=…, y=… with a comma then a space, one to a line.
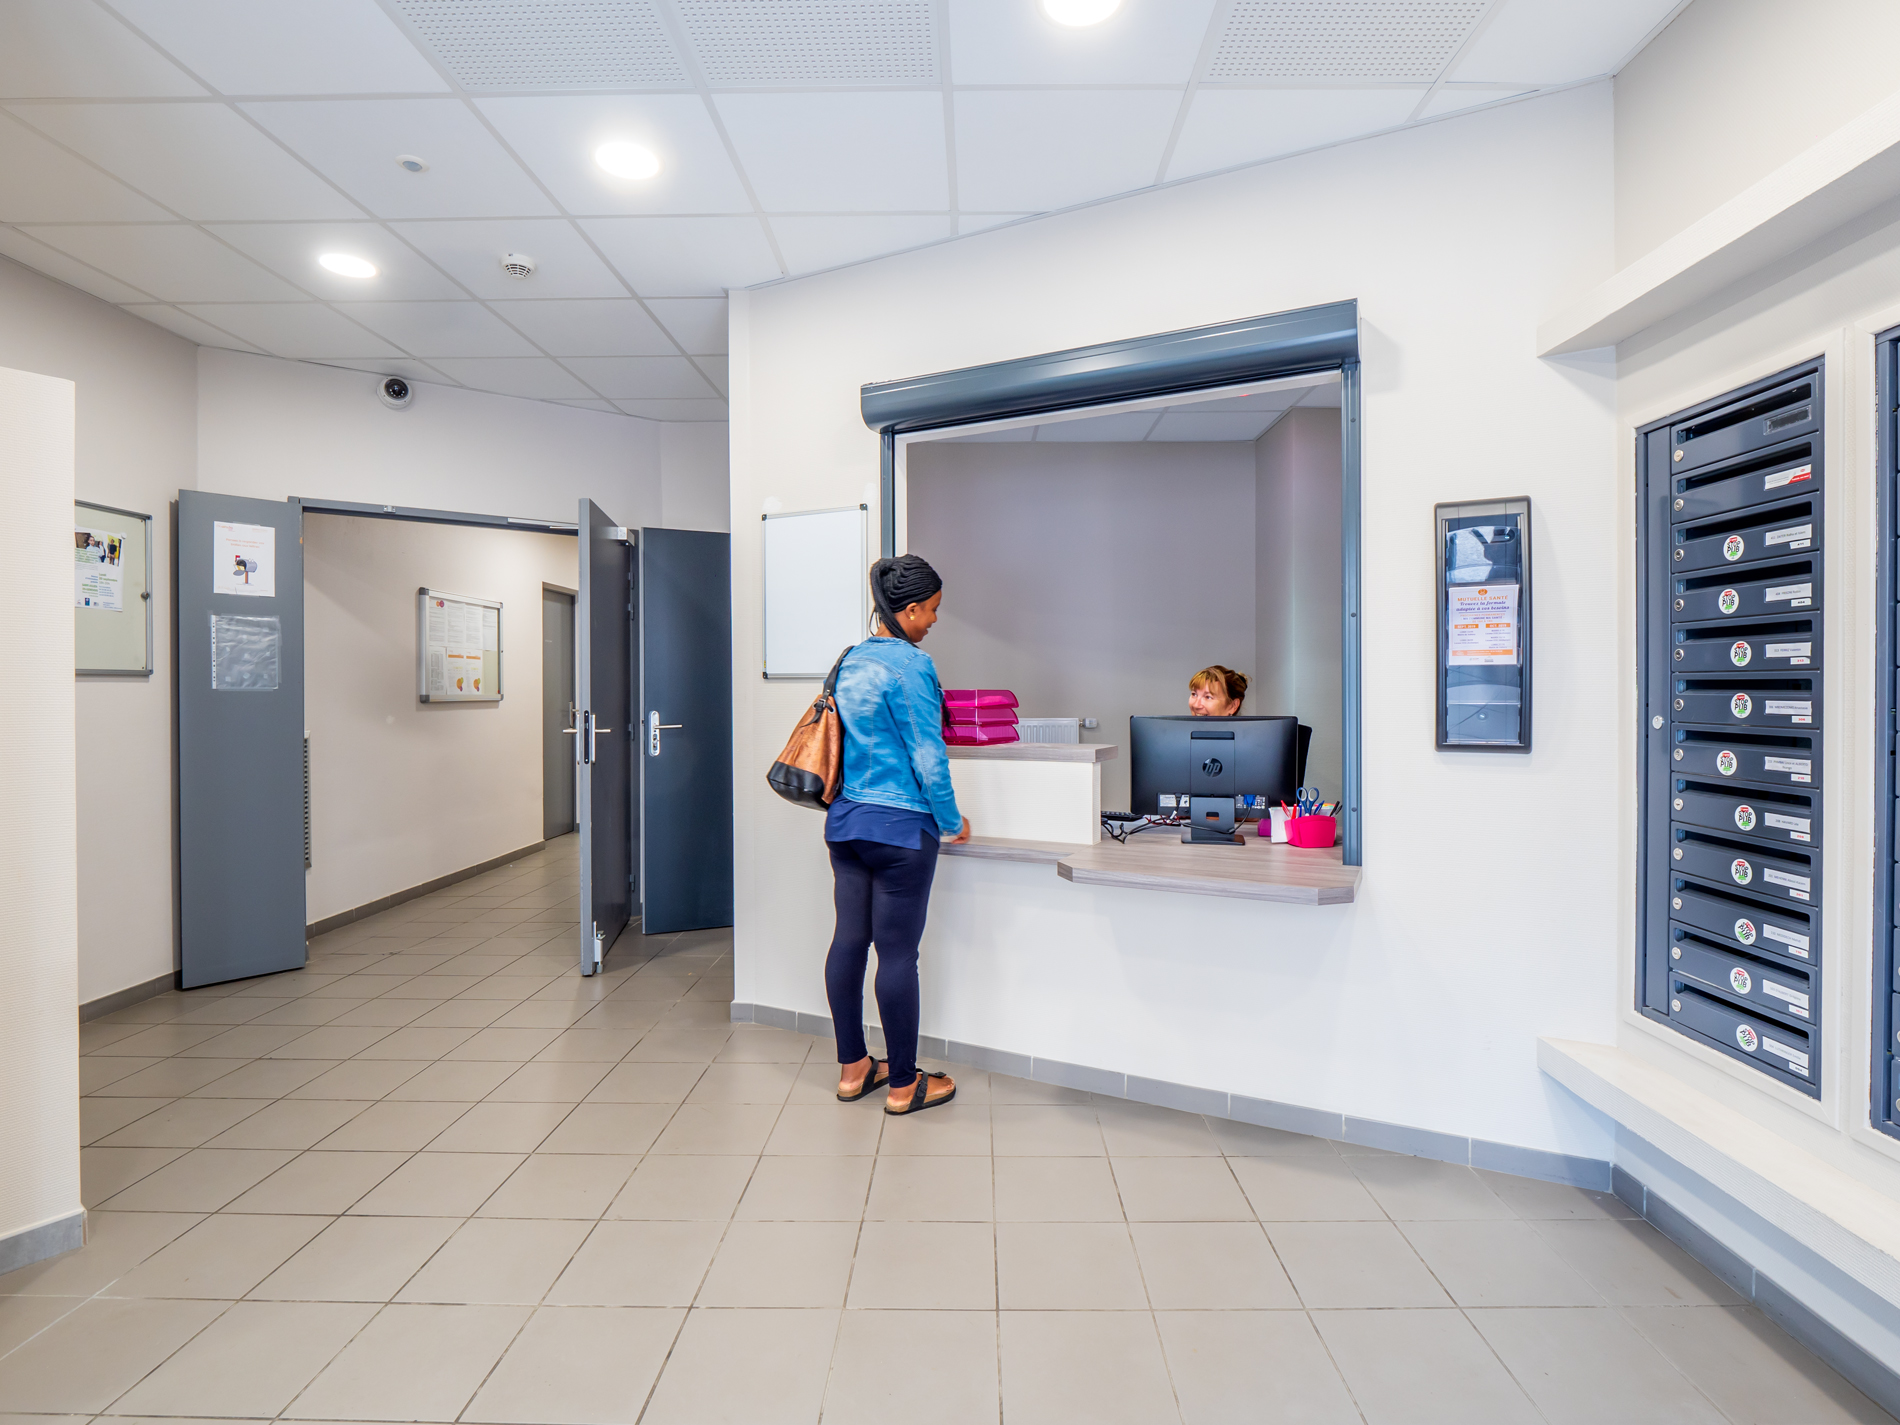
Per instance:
x=818, y=588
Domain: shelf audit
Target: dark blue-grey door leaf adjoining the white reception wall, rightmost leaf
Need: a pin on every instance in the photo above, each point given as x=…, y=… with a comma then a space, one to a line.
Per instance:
x=687, y=736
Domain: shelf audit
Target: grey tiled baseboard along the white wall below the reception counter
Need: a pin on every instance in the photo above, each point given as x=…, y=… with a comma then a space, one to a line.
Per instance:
x=1215, y=1103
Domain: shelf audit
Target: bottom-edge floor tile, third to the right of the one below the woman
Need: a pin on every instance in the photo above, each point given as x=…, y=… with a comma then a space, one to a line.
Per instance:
x=1422, y=1369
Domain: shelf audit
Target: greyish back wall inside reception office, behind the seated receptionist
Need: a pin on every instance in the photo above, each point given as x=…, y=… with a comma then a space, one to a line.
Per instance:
x=1090, y=579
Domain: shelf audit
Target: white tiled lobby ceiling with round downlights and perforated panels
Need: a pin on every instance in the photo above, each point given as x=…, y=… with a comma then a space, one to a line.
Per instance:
x=191, y=159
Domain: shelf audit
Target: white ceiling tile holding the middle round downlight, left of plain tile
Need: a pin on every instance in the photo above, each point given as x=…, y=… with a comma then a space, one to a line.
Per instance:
x=558, y=140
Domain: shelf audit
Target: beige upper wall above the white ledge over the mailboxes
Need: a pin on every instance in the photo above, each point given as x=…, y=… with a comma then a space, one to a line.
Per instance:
x=1730, y=92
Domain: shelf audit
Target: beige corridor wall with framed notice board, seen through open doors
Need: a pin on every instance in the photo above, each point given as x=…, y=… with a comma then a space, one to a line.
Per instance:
x=406, y=791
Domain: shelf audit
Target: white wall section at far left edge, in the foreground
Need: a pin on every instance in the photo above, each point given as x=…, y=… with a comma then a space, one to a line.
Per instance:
x=39, y=826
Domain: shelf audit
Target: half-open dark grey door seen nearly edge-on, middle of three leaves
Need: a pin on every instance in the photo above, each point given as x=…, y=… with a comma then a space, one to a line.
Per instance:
x=603, y=620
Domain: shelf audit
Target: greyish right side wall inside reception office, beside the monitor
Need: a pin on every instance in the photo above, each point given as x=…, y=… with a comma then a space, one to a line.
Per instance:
x=1299, y=599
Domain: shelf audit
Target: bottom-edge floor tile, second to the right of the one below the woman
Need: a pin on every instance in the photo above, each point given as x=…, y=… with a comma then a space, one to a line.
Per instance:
x=1253, y=1365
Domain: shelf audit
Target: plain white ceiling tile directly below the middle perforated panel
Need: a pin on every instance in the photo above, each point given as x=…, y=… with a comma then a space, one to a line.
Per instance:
x=841, y=153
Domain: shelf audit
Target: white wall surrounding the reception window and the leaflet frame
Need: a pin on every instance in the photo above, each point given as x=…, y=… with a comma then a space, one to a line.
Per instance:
x=1473, y=932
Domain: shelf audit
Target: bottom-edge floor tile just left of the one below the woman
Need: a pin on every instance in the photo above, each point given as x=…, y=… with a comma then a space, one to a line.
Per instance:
x=788, y=1358
